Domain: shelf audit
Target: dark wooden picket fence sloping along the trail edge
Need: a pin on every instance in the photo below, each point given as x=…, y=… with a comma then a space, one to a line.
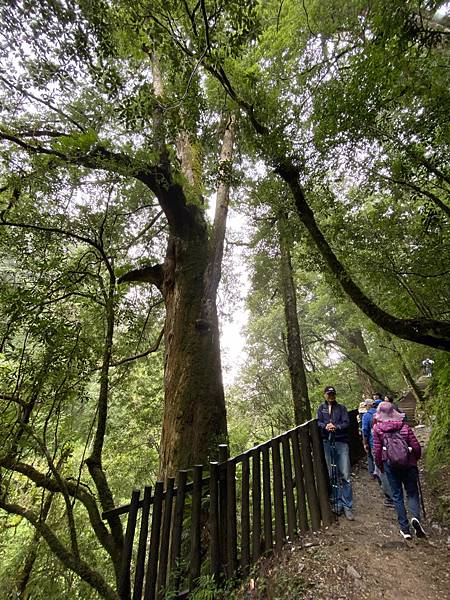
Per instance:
x=220, y=520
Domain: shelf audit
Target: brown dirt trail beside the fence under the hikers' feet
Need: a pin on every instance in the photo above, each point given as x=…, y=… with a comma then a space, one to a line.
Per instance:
x=365, y=559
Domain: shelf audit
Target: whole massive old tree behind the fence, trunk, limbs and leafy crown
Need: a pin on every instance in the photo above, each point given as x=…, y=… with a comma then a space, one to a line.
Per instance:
x=75, y=108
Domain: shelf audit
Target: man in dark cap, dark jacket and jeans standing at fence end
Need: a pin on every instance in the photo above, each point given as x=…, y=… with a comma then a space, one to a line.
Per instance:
x=333, y=422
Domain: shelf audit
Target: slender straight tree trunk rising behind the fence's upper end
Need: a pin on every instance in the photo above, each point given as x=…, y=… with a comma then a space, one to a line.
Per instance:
x=299, y=386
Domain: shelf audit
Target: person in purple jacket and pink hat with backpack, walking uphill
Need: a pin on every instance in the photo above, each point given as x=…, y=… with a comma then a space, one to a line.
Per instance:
x=396, y=452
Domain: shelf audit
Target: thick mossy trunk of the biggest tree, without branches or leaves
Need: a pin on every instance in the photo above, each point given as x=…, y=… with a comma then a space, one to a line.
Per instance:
x=194, y=415
